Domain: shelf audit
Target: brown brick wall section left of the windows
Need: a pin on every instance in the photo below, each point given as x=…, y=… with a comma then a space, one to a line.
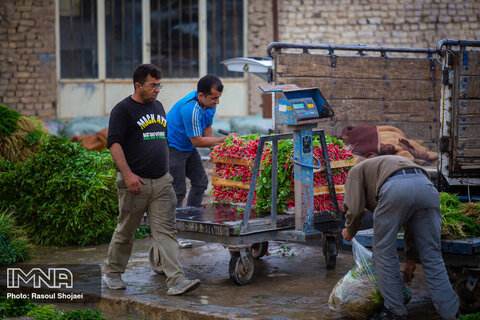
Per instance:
x=27, y=57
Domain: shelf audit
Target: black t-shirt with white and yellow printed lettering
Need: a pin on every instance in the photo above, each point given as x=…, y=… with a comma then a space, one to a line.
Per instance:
x=141, y=130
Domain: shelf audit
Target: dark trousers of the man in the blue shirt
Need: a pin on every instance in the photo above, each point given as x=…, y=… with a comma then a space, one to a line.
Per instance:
x=188, y=164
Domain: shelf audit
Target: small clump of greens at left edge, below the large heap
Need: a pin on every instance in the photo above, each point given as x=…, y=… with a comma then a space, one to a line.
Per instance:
x=13, y=246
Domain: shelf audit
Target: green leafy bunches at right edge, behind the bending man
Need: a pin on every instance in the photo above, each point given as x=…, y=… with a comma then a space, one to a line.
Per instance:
x=460, y=220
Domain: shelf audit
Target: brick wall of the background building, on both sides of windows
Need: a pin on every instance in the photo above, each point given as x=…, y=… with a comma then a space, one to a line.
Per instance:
x=27, y=37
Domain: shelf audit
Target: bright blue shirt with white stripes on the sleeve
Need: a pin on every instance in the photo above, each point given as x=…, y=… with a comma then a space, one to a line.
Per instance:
x=187, y=119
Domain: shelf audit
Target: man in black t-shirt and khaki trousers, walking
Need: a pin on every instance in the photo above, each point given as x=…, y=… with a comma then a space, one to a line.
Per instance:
x=137, y=141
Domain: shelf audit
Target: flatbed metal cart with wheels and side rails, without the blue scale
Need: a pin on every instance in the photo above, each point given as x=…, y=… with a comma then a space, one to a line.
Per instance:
x=247, y=236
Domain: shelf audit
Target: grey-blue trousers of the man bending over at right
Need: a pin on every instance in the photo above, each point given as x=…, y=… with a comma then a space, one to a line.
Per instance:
x=411, y=199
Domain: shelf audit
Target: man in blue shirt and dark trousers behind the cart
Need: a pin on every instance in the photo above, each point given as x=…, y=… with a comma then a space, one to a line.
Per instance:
x=189, y=126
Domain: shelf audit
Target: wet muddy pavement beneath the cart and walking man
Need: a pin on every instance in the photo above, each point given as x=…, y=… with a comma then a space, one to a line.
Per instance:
x=284, y=287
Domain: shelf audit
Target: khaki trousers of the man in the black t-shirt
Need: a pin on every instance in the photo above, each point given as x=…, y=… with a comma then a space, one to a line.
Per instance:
x=158, y=200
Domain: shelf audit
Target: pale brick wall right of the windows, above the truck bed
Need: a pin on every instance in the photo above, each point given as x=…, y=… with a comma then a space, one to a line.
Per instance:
x=395, y=23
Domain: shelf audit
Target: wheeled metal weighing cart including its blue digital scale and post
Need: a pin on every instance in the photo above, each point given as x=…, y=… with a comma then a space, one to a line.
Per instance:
x=245, y=232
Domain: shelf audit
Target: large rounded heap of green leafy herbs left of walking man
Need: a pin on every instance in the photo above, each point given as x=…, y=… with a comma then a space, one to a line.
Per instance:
x=62, y=195
